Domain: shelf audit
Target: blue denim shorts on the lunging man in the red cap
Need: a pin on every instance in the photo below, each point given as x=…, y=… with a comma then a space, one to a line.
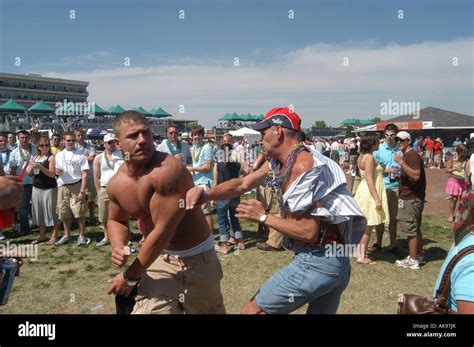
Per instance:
x=311, y=278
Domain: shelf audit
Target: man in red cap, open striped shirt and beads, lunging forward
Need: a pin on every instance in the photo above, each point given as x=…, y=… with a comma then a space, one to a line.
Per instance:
x=316, y=209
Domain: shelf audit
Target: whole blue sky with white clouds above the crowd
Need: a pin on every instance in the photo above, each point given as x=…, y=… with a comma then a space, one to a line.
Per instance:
x=282, y=61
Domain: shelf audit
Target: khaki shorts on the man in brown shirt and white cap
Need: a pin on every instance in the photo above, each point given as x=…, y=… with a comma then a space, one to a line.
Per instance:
x=409, y=217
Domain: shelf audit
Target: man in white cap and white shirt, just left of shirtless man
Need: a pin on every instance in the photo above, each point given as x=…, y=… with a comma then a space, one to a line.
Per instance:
x=106, y=165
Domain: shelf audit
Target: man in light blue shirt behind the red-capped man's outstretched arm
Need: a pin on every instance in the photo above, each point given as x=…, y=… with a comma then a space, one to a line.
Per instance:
x=201, y=169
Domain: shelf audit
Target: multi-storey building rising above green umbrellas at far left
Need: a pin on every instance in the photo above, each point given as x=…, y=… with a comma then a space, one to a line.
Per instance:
x=31, y=88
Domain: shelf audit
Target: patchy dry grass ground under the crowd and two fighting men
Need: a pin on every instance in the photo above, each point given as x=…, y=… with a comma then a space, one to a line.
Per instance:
x=71, y=279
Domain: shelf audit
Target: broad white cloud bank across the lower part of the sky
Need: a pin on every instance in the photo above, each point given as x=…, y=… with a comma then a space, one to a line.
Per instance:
x=312, y=78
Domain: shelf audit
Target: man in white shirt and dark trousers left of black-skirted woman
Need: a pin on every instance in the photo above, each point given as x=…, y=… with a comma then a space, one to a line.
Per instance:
x=21, y=157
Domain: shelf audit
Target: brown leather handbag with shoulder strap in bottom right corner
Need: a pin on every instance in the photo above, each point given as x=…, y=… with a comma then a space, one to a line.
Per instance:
x=417, y=304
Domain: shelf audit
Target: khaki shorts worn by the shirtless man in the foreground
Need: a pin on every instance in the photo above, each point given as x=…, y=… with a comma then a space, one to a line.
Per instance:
x=177, y=285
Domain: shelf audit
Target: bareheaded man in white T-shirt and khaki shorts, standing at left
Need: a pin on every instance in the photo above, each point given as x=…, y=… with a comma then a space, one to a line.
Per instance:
x=72, y=168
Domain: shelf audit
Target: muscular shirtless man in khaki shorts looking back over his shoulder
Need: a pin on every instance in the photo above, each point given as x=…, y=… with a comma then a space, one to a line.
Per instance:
x=152, y=186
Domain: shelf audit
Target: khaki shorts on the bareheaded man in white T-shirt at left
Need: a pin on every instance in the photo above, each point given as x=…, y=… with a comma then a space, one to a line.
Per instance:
x=69, y=204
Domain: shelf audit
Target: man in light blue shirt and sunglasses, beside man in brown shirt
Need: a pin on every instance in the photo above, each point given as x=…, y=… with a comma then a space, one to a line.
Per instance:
x=385, y=156
